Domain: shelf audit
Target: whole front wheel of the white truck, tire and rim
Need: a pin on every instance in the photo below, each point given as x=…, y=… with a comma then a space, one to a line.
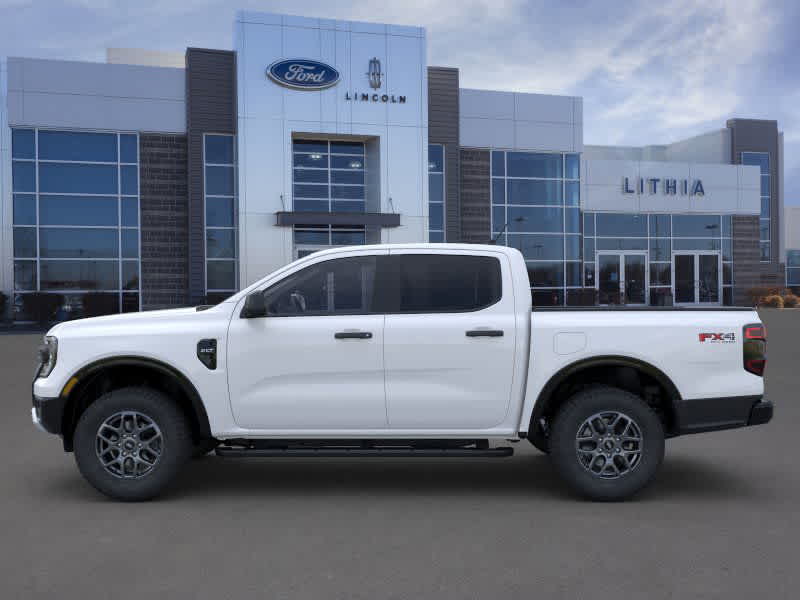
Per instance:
x=130, y=443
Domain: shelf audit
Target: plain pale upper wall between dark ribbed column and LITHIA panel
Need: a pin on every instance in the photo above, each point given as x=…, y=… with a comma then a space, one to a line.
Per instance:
x=519, y=121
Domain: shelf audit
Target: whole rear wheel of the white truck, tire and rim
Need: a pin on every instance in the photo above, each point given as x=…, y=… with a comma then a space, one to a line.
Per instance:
x=606, y=443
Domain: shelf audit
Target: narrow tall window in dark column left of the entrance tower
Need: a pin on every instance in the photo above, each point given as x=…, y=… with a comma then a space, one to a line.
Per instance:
x=219, y=160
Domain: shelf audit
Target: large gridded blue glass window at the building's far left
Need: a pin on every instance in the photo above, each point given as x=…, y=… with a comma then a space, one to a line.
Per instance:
x=76, y=222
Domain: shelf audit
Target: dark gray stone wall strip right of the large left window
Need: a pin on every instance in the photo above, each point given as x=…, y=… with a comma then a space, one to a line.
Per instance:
x=163, y=201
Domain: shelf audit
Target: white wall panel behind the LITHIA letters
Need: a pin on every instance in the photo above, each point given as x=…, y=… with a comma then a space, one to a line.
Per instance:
x=729, y=189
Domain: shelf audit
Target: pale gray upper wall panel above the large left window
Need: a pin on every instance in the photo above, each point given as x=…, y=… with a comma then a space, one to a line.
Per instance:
x=82, y=95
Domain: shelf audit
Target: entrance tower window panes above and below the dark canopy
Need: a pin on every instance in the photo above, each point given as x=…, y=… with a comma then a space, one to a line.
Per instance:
x=328, y=176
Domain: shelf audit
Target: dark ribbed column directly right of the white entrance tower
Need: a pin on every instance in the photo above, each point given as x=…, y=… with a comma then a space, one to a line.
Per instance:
x=443, y=128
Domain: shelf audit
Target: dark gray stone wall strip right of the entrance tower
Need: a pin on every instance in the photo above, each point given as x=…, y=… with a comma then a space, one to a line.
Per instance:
x=475, y=196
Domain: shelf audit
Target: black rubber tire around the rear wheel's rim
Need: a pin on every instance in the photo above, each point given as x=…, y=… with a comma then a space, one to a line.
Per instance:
x=563, y=443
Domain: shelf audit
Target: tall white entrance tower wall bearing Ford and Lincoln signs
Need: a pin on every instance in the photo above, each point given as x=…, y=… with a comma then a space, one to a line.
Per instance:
x=269, y=115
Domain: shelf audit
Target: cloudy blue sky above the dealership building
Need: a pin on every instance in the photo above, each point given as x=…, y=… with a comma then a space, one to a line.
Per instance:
x=649, y=72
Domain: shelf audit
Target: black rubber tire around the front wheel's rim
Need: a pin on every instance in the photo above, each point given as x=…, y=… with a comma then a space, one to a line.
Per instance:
x=175, y=448
